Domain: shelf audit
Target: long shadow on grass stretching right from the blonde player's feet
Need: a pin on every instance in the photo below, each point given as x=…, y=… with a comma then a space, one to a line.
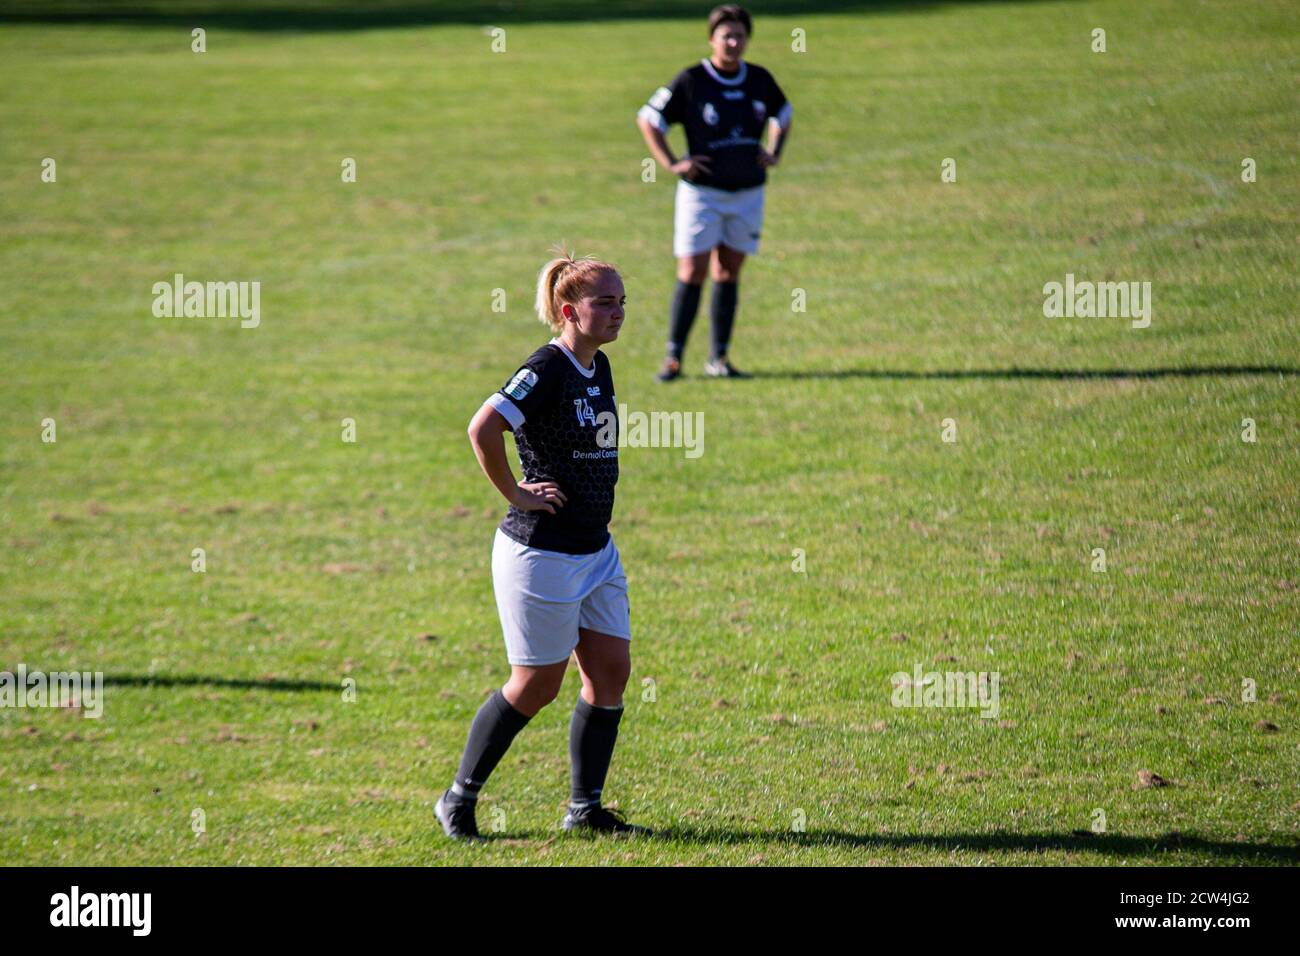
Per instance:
x=1076, y=842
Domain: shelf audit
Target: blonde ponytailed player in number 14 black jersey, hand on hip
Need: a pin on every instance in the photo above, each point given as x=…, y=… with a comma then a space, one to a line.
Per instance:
x=557, y=574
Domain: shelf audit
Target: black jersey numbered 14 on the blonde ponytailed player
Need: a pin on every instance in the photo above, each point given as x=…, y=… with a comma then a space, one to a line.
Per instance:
x=566, y=430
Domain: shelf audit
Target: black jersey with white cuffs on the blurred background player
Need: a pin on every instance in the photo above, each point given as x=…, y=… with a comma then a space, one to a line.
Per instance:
x=725, y=119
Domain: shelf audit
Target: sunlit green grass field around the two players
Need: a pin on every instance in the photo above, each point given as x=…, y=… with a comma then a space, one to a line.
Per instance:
x=772, y=706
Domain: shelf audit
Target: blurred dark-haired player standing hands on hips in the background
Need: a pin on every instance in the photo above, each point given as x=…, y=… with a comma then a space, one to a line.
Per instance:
x=725, y=105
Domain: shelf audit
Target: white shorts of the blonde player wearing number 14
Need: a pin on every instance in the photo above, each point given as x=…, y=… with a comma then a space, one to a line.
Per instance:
x=544, y=598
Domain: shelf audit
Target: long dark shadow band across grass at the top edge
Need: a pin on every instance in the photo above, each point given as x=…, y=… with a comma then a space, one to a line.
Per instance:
x=333, y=15
